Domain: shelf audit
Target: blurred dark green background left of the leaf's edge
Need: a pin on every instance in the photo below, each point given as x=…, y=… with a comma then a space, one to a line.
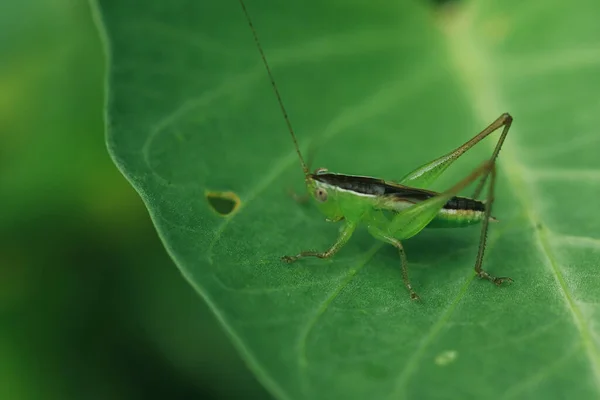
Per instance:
x=90, y=304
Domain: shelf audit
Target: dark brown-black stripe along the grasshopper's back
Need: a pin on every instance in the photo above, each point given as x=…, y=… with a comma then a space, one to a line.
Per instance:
x=379, y=187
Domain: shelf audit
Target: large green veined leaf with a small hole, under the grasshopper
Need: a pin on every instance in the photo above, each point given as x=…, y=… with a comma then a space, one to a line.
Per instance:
x=379, y=87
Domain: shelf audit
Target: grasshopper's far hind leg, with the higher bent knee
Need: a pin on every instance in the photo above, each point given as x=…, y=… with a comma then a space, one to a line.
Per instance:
x=426, y=174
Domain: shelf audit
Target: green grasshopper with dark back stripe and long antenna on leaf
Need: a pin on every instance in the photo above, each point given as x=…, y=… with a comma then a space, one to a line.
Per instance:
x=396, y=211
